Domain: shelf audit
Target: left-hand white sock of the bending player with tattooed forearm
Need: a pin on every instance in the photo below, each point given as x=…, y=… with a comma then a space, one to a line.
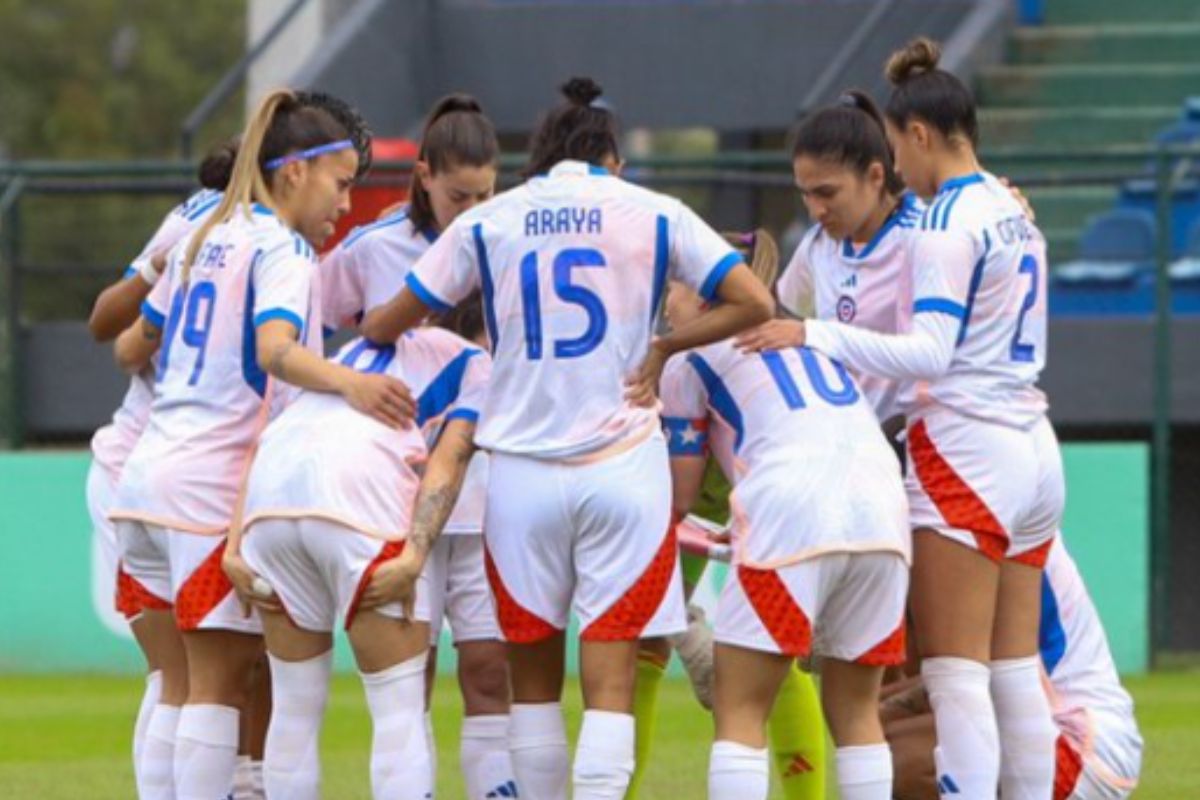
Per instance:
x=299, y=690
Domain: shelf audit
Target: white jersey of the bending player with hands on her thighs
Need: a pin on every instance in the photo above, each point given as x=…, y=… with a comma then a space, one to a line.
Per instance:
x=323, y=459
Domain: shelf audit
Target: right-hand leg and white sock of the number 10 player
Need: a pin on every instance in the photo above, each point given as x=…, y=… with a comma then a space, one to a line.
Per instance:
x=850, y=696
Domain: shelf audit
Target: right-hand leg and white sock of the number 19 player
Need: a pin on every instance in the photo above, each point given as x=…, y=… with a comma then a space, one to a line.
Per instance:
x=219, y=664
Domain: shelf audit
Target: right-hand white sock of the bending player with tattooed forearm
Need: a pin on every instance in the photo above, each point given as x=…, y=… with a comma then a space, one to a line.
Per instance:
x=400, y=749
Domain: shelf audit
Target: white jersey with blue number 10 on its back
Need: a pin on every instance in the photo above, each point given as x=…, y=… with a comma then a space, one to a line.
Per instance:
x=799, y=422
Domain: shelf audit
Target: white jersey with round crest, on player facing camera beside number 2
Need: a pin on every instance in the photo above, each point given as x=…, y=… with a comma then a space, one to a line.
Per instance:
x=859, y=286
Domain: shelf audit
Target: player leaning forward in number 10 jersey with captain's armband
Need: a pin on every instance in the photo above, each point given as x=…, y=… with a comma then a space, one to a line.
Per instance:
x=820, y=545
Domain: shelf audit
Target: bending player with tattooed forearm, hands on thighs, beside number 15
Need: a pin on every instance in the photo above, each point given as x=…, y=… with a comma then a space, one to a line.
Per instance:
x=332, y=527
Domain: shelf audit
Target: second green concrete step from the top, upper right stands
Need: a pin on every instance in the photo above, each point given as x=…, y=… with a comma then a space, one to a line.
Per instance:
x=1133, y=44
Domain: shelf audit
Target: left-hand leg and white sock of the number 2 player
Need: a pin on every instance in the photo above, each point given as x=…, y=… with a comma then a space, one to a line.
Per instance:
x=953, y=601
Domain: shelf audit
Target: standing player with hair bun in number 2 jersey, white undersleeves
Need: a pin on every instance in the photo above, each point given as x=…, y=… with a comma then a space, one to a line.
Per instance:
x=986, y=488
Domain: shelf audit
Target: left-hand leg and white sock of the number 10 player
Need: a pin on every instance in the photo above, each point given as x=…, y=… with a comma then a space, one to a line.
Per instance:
x=743, y=696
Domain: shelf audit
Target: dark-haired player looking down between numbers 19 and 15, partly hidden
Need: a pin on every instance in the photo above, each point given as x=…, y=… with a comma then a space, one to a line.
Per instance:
x=455, y=171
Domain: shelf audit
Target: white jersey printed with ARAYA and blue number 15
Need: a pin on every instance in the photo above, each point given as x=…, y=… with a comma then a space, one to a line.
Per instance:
x=573, y=267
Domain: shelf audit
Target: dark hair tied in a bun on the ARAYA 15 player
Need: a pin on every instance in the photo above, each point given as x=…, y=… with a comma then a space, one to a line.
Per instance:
x=581, y=129
